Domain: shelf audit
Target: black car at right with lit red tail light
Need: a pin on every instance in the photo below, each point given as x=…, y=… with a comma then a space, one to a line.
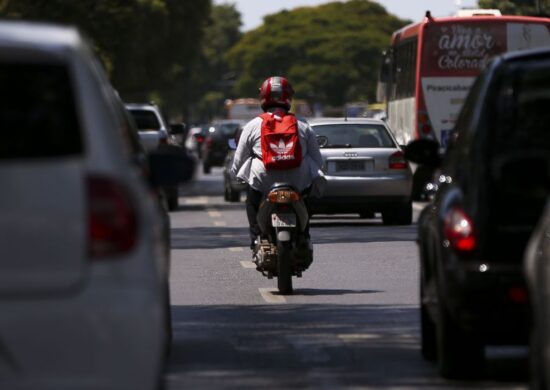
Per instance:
x=492, y=185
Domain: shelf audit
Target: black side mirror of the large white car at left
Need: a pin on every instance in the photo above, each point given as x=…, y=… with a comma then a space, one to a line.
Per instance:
x=170, y=165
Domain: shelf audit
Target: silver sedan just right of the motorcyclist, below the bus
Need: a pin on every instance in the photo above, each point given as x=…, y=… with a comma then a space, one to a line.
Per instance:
x=365, y=170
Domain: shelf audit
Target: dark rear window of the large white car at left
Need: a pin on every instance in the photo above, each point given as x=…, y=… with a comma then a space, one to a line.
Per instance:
x=37, y=112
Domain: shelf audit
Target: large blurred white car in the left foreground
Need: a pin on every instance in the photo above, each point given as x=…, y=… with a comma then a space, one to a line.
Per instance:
x=83, y=246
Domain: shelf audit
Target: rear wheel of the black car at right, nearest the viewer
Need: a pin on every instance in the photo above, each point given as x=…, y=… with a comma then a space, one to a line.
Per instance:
x=460, y=355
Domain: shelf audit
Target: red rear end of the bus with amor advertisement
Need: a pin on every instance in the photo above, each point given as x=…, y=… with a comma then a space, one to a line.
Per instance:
x=452, y=52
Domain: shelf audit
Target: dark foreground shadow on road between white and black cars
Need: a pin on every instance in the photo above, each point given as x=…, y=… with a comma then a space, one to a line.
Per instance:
x=310, y=347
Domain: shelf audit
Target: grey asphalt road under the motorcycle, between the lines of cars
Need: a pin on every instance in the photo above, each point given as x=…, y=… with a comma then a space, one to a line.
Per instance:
x=352, y=322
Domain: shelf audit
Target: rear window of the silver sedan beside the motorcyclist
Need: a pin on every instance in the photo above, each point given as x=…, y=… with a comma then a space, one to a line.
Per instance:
x=354, y=135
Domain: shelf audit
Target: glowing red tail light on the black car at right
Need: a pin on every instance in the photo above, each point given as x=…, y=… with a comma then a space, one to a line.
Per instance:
x=459, y=231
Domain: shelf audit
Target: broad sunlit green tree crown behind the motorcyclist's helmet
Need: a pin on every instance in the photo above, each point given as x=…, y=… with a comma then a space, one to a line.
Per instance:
x=331, y=53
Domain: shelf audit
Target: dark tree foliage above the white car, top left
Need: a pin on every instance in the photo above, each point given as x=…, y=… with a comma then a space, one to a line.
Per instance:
x=146, y=45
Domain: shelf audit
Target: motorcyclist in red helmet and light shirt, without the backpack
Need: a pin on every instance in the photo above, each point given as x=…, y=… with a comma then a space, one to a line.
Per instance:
x=275, y=97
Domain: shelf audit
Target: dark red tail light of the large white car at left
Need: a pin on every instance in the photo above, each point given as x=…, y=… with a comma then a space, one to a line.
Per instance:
x=112, y=219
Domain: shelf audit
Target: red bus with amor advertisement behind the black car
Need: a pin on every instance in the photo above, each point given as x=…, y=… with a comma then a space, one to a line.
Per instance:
x=430, y=66
